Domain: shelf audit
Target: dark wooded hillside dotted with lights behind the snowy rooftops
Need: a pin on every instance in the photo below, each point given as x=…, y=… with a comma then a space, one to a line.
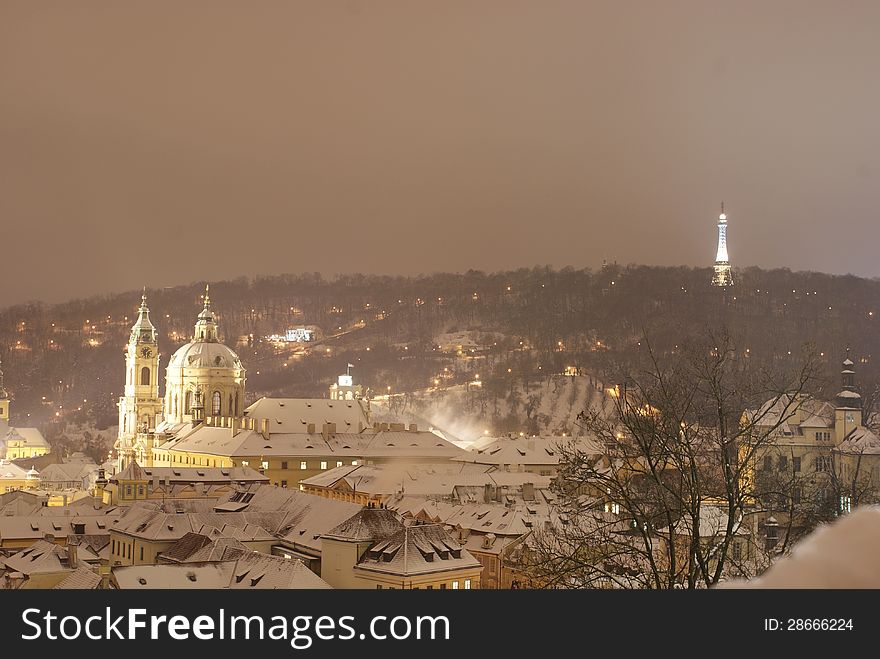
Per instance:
x=511, y=331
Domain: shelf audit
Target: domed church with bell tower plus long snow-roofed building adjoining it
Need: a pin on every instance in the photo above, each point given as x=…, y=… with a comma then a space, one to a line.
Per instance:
x=202, y=422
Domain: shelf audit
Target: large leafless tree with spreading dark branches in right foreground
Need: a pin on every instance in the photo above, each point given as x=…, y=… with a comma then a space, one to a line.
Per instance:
x=671, y=500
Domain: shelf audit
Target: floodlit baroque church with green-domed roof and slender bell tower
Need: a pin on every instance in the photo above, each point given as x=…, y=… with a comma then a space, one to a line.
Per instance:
x=203, y=377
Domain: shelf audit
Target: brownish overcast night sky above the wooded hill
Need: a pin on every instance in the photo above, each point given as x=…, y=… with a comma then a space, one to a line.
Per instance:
x=162, y=143
